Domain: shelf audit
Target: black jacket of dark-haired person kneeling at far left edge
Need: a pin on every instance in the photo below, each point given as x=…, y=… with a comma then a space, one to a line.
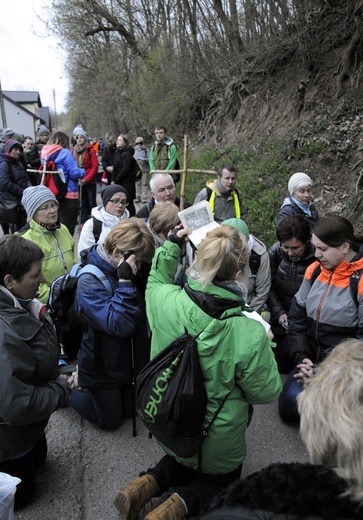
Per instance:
x=30, y=388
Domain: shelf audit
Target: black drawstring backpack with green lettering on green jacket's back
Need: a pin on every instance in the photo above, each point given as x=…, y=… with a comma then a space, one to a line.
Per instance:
x=171, y=398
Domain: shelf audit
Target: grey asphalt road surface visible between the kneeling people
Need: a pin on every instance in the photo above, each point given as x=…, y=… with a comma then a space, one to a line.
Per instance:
x=86, y=466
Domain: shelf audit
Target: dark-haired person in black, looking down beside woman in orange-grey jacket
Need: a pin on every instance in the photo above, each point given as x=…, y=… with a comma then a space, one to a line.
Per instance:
x=289, y=258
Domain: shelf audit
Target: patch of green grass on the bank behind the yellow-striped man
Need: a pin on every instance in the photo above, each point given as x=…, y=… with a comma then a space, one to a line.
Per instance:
x=263, y=174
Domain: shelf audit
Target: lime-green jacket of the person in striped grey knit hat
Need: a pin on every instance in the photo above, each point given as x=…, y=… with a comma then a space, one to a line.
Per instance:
x=58, y=249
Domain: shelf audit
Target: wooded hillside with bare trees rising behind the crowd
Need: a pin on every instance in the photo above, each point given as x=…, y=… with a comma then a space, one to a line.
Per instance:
x=272, y=86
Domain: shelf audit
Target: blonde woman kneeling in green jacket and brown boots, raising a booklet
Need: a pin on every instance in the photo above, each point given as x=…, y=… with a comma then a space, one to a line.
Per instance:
x=236, y=361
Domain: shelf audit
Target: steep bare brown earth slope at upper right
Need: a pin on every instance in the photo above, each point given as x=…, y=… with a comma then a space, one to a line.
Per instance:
x=306, y=98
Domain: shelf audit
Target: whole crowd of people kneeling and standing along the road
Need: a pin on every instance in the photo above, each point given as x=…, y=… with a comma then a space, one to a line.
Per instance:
x=295, y=308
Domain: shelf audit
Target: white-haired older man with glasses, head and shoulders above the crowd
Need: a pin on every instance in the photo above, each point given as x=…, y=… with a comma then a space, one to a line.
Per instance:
x=162, y=190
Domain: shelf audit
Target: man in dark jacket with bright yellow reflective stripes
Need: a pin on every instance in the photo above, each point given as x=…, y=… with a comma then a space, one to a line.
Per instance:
x=225, y=200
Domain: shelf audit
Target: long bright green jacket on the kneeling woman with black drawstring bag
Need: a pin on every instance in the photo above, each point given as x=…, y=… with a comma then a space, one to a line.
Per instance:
x=235, y=356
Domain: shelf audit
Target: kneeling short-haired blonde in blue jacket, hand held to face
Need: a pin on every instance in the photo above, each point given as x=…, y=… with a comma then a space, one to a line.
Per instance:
x=115, y=345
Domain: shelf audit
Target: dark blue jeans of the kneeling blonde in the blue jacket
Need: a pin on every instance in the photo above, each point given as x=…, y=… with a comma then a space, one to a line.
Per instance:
x=101, y=407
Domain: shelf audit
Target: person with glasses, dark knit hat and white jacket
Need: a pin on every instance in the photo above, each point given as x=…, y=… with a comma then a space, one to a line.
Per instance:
x=105, y=217
